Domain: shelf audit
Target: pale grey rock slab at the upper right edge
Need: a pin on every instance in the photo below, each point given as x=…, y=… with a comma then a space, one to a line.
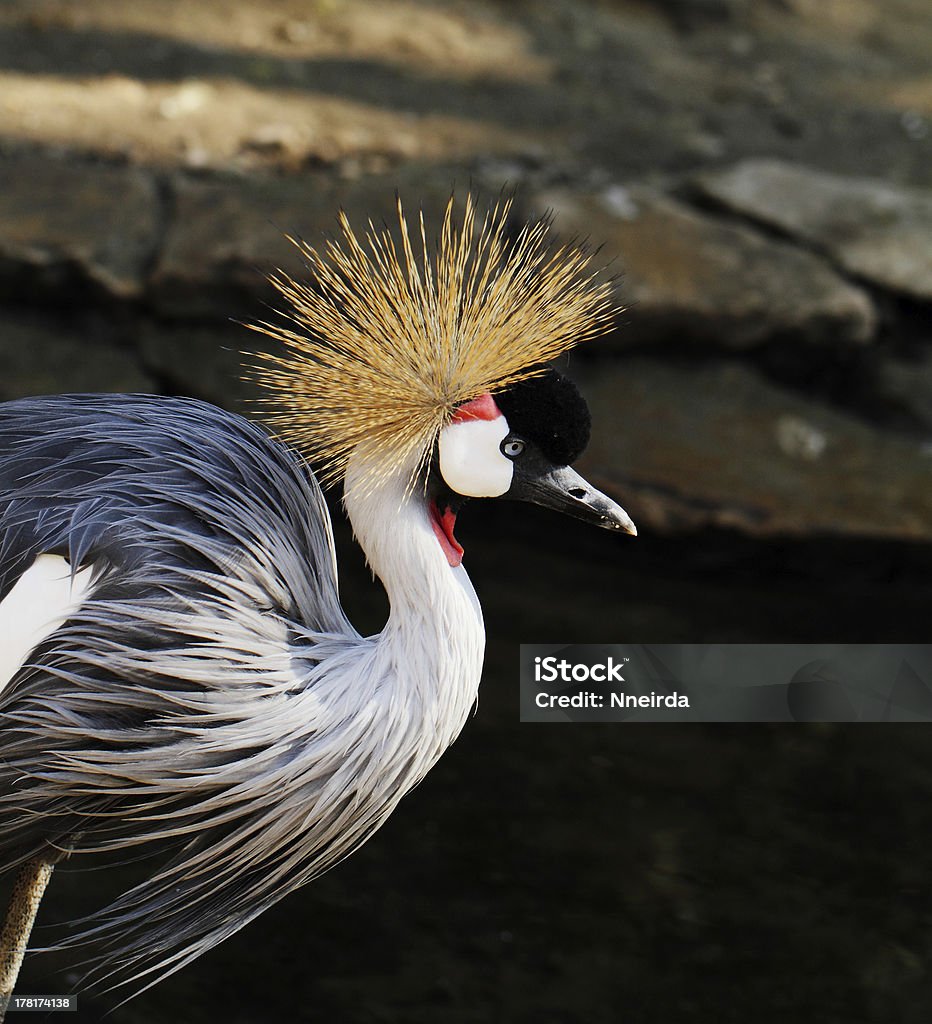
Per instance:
x=871, y=229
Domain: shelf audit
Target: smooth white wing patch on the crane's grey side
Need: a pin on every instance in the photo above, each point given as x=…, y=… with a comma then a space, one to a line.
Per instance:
x=43, y=600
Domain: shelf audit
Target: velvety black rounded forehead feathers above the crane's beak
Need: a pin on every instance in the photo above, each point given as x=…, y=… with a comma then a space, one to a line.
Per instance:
x=549, y=411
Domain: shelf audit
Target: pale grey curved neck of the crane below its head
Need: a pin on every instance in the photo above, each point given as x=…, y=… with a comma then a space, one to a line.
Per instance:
x=431, y=652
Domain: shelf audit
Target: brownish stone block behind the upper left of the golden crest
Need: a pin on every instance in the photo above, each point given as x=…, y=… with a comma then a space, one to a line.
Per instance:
x=226, y=237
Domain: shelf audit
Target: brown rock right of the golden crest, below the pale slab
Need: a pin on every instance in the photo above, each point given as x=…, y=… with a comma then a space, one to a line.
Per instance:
x=688, y=277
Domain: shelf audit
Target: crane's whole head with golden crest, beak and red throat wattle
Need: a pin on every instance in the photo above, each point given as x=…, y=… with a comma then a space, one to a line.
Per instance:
x=431, y=361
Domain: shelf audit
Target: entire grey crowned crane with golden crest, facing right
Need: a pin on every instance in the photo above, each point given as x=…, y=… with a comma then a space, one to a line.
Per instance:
x=176, y=666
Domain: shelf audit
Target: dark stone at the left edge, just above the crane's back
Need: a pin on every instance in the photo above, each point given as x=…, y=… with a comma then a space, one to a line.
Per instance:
x=43, y=358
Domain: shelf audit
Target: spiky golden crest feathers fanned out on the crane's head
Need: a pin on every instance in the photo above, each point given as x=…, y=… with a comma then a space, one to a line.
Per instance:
x=387, y=342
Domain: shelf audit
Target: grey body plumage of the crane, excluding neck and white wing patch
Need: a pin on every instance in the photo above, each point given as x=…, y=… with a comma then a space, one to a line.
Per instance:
x=198, y=697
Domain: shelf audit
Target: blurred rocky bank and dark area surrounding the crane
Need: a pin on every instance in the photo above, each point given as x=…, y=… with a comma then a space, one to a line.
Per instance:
x=759, y=177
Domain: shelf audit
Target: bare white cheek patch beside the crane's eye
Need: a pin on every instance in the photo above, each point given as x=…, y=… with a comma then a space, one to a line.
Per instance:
x=472, y=460
